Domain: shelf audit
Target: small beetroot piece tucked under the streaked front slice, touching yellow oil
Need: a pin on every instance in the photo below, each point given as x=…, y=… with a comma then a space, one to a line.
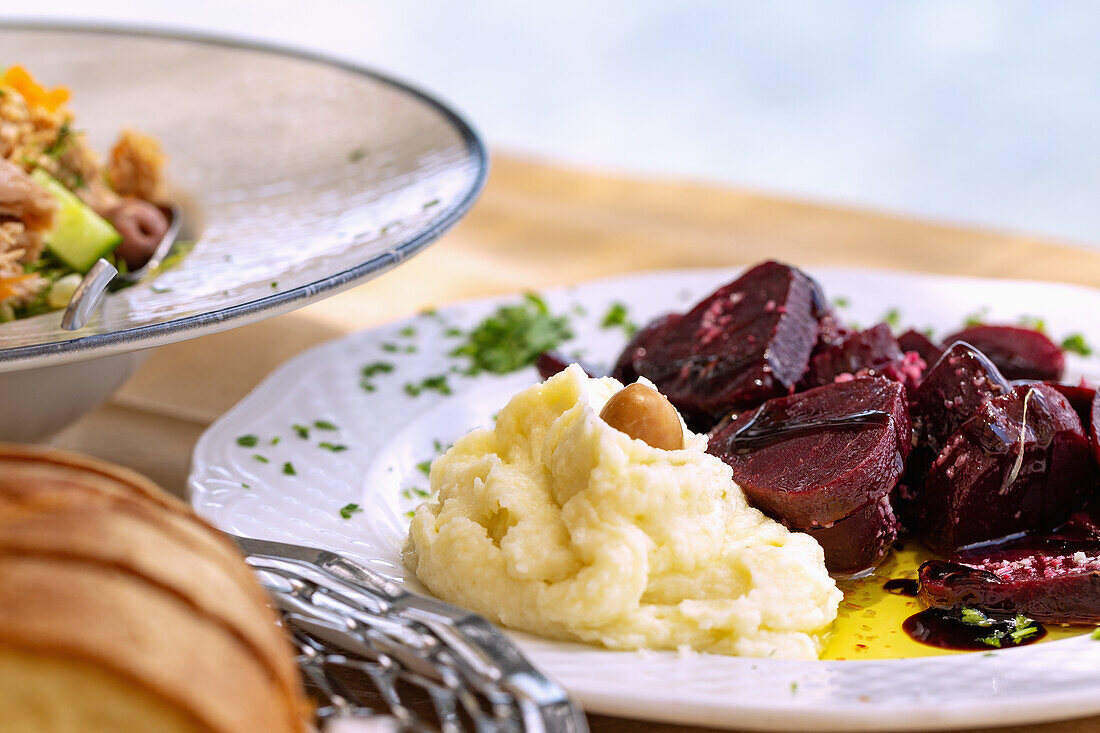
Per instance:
x=861, y=541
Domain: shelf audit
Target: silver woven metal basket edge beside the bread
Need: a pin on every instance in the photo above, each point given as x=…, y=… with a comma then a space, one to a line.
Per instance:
x=348, y=619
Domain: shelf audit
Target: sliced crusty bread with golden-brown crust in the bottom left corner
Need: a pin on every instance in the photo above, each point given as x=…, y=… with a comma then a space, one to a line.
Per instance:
x=120, y=606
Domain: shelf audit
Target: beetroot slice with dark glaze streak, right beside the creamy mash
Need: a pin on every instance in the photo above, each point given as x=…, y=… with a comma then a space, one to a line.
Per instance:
x=820, y=456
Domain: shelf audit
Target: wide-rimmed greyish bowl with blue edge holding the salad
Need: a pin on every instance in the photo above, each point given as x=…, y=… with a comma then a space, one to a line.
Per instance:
x=300, y=176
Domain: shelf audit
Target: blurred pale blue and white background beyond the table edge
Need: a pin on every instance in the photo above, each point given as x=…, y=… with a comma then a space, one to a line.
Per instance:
x=970, y=112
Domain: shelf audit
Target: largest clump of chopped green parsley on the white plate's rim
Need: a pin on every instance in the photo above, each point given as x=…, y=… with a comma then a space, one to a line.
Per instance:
x=514, y=337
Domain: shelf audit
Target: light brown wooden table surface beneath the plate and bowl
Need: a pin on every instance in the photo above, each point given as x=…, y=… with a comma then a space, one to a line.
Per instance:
x=538, y=227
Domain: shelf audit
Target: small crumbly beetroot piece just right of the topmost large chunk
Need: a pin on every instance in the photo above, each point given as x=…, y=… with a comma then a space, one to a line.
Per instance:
x=874, y=353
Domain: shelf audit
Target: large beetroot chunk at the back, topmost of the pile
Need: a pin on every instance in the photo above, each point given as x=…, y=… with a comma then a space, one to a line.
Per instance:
x=747, y=343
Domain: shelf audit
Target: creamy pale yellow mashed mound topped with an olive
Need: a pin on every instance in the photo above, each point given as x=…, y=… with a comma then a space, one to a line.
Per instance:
x=556, y=523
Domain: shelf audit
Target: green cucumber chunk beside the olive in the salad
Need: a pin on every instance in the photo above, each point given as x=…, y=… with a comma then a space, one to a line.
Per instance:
x=80, y=236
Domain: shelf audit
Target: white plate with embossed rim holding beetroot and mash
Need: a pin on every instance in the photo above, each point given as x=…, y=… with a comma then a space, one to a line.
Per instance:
x=388, y=433
